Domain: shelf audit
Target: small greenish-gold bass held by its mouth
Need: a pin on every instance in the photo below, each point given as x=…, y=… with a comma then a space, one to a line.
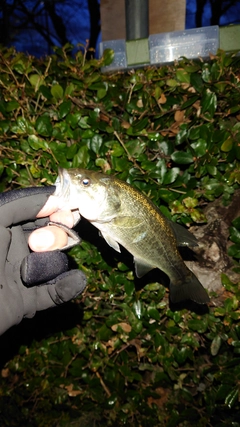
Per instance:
x=126, y=217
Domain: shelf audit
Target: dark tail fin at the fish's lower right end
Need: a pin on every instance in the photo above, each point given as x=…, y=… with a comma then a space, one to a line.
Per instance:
x=189, y=289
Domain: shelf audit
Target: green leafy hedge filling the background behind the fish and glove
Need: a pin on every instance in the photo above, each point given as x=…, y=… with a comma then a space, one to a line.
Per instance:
x=121, y=355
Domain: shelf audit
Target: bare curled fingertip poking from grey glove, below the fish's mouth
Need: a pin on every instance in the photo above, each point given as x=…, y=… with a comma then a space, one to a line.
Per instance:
x=47, y=239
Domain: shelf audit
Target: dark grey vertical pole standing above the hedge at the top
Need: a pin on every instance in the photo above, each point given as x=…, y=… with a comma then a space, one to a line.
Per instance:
x=137, y=17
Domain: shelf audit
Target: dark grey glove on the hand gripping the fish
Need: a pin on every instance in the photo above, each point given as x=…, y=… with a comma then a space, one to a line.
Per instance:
x=30, y=282
